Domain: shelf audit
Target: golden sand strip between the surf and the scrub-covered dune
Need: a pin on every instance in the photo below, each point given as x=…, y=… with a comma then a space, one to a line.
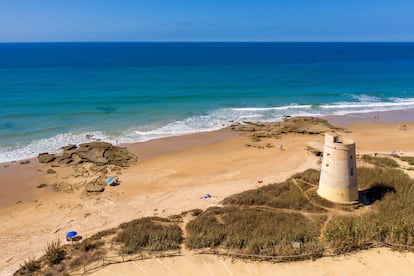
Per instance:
x=170, y=176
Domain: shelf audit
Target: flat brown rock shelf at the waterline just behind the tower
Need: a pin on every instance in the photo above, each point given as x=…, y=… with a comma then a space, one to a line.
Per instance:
x=301, y=125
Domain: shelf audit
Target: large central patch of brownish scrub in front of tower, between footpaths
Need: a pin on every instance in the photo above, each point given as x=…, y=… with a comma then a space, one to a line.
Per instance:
x=254, y=231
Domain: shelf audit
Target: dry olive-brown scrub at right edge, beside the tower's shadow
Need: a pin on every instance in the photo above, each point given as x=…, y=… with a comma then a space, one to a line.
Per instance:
x=392, y=193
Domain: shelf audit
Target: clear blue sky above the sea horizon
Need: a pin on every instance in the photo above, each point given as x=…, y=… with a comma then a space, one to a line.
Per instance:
x=206, y=20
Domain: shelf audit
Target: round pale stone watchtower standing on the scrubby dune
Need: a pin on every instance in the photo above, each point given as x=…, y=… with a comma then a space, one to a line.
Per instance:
x=338, y=181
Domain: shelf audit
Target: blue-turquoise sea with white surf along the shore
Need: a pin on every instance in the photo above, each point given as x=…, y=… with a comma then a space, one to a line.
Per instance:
x=54, y=94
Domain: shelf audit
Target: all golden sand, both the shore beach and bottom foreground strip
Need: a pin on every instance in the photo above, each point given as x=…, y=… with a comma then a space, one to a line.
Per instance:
x=170, y=177
